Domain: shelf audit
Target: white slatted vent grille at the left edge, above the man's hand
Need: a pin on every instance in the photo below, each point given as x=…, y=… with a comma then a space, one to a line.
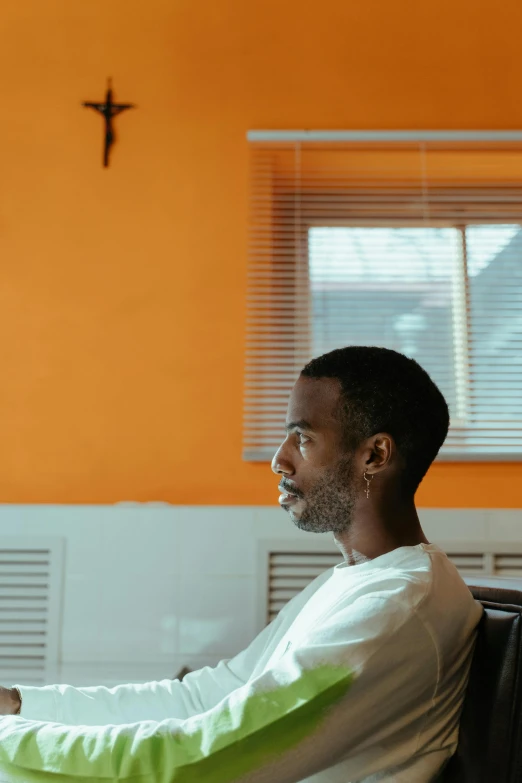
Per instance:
x=30, y=598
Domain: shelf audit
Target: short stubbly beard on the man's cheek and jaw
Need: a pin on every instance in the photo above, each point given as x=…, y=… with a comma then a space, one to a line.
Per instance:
x=330, y=503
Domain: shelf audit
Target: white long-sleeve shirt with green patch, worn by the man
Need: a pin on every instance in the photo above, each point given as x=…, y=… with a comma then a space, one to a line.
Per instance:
x=360, y=678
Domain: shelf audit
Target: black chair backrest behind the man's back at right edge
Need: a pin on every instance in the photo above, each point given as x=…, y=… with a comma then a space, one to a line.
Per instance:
x=490, y=735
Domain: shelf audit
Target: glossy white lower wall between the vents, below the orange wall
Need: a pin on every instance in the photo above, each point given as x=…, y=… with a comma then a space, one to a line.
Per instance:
x=150, y=588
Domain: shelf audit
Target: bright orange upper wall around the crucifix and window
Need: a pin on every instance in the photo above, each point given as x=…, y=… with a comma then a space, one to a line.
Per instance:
x=122, y=291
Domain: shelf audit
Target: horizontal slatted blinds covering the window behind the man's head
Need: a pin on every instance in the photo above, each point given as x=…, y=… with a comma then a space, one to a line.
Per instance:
x=415, y=246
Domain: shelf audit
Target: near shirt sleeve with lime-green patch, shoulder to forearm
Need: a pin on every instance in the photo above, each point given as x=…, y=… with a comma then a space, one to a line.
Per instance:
x=346, y=686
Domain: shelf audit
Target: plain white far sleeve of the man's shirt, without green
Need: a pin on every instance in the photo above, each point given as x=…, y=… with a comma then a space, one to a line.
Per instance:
x=157, y=701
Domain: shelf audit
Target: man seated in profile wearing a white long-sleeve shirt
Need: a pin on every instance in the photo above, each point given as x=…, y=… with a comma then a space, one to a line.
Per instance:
x=360, y=678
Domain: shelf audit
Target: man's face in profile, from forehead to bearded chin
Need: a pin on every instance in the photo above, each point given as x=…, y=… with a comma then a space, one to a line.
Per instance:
x=318, y=482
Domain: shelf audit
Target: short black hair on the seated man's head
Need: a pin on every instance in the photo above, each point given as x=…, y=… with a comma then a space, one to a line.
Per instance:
x=385, y=391
